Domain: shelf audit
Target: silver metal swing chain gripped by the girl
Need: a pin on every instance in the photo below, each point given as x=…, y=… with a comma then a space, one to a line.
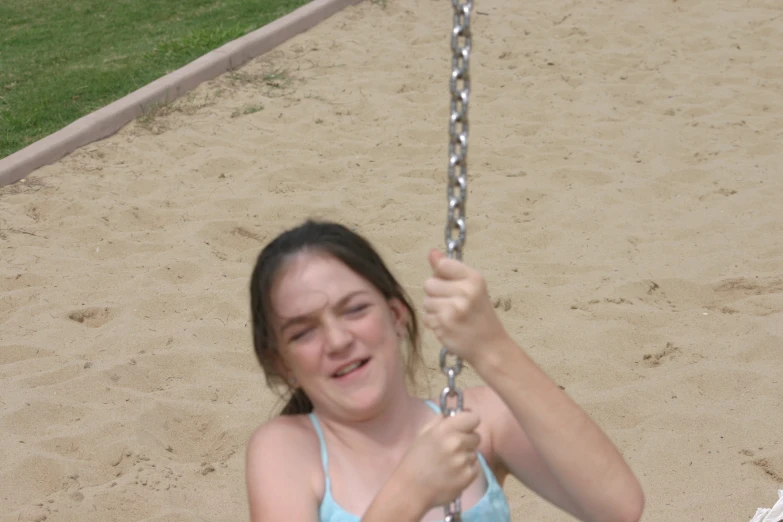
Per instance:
x=457, y=191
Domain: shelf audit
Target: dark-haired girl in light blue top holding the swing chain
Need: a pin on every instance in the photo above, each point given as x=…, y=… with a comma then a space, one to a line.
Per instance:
x=352, y=444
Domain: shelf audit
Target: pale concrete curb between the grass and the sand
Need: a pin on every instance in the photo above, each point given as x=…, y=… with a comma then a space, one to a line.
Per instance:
x=108, y=120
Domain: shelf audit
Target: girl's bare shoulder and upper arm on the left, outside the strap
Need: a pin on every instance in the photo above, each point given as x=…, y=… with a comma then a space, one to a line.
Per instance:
x=283, y=471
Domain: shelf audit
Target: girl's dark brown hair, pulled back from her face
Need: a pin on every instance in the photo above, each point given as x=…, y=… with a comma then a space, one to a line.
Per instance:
x=348, y=247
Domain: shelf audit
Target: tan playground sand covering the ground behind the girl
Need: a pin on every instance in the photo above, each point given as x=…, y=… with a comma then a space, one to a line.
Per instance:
x=624, y=206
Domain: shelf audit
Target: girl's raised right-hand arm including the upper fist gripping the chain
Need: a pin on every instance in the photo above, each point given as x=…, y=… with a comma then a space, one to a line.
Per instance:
x=573, y=462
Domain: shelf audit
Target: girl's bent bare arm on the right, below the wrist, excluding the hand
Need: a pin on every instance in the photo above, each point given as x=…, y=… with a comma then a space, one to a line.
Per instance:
x=550, y=443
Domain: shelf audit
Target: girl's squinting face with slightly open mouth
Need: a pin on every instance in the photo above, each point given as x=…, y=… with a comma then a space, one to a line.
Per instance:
x=338, y=335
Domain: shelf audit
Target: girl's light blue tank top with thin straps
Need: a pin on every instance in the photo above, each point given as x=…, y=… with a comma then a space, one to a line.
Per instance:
x=492, y=507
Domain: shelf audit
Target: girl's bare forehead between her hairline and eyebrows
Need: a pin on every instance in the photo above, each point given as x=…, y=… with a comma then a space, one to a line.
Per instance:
x=312, y=280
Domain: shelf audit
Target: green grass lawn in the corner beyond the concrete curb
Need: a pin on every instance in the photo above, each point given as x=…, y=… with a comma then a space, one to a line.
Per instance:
x=61, y=60
